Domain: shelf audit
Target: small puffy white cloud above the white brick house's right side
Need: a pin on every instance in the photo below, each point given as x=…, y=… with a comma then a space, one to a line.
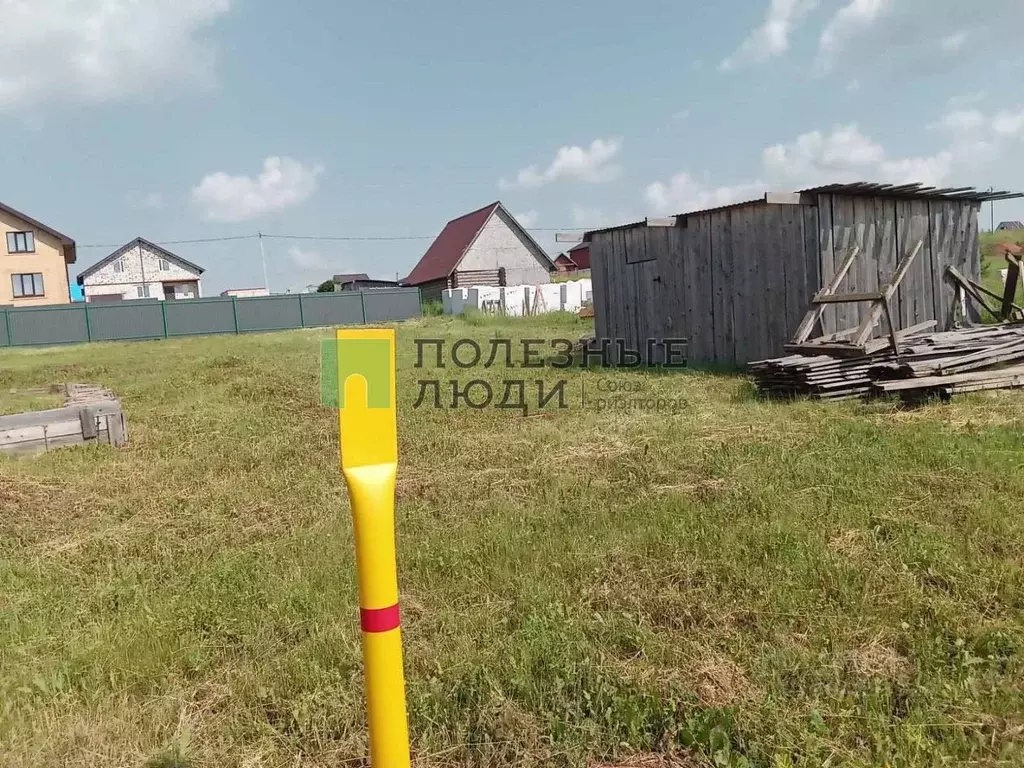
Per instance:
x=284, y=183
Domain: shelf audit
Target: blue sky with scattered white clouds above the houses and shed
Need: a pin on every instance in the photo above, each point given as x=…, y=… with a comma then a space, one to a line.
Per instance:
x=376, y=123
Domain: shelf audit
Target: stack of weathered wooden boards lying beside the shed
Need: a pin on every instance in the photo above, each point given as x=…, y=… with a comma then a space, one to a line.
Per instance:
x=927, y=365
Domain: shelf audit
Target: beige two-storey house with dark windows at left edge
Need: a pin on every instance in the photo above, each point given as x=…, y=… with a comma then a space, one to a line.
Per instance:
x=34, y=264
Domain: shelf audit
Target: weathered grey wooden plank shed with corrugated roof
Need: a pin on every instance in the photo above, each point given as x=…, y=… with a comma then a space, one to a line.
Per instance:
x=737, y=281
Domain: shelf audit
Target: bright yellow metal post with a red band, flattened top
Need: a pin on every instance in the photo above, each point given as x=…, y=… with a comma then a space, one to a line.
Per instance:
x=369, y=462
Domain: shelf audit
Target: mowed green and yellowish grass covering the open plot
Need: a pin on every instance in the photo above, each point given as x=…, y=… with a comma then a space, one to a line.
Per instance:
x=726, y=581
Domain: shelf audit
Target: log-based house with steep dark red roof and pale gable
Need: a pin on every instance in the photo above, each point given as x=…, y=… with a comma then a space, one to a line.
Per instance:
x=484, y=248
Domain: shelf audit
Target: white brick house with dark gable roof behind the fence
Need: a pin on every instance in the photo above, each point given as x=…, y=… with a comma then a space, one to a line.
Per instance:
x=142, y=270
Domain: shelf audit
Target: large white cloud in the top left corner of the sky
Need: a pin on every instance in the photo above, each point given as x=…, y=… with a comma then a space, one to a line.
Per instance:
x=102, y=51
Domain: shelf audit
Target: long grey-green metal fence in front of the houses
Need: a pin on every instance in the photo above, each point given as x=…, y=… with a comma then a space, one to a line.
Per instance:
x=152, y=319
